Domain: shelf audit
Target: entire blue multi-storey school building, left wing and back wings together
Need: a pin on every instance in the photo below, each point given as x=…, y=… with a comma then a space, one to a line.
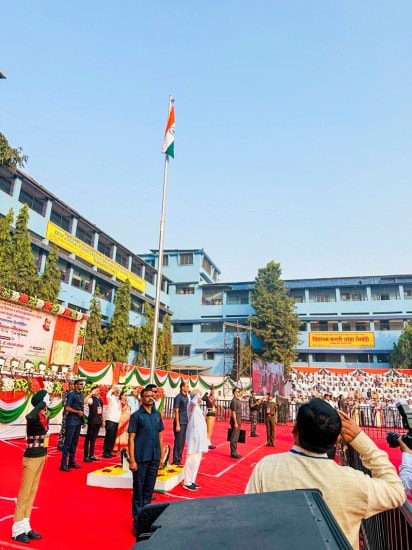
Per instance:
x=345, y=322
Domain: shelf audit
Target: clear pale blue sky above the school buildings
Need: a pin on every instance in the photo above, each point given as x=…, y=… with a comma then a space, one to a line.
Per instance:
x=293, y=125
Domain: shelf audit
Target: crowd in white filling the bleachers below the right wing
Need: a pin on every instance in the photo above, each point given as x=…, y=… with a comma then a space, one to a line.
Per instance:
x=370, y=399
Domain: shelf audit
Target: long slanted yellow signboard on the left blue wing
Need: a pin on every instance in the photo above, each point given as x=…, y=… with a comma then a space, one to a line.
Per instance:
x=59, y=236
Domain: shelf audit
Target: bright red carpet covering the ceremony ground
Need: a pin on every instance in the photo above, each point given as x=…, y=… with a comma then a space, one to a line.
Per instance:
x=73, y=515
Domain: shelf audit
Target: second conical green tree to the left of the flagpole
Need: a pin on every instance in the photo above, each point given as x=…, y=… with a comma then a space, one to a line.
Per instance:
x=119, y=334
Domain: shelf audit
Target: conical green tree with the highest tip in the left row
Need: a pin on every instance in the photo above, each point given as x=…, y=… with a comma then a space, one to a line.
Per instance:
x=21, y=273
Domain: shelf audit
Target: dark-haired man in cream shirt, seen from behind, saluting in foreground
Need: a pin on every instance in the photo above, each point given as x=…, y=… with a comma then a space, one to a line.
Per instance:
x=350, y=494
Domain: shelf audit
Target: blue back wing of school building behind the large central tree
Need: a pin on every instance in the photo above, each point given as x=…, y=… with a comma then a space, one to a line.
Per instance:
x=345, y=322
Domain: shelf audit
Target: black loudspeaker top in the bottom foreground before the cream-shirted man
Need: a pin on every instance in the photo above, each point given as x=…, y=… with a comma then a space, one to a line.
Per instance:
x=282, y=520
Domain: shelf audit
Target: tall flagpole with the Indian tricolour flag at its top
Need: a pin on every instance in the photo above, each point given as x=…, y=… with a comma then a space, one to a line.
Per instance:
x=168, y=150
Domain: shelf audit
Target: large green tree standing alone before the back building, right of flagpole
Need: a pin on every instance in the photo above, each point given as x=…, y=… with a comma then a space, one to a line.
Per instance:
x=275, y=322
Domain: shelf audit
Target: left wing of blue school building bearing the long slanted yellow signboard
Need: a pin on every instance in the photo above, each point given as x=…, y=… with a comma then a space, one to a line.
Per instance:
x=89, y=258
